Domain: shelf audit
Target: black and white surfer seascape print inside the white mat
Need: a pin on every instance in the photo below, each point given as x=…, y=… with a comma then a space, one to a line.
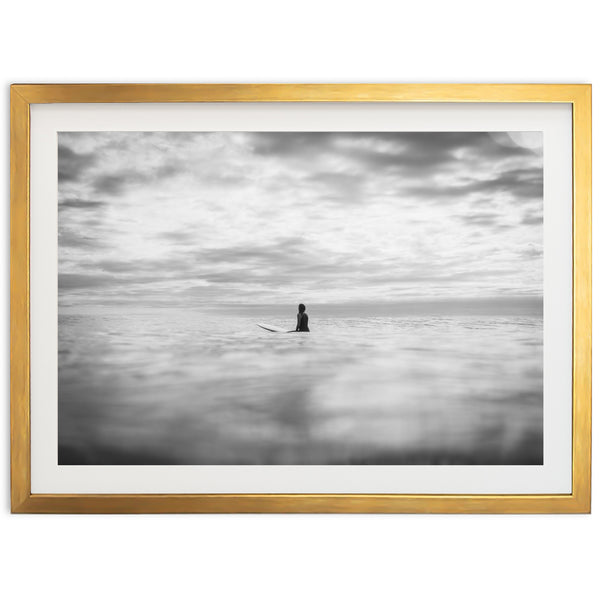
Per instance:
x=300, y=298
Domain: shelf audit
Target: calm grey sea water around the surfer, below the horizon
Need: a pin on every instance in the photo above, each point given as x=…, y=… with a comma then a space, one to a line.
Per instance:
x=183, y=388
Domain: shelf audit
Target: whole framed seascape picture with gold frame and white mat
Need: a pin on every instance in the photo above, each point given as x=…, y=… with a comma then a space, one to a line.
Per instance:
x=301, y=298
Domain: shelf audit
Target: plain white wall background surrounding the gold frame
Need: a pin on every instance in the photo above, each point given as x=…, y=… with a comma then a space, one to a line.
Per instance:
x=304, y=556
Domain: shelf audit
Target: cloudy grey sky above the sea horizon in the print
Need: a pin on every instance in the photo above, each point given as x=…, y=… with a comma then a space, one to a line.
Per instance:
x=207, y=219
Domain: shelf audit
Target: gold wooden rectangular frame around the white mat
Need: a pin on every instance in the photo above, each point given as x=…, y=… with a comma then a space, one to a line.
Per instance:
x=23, y=501
